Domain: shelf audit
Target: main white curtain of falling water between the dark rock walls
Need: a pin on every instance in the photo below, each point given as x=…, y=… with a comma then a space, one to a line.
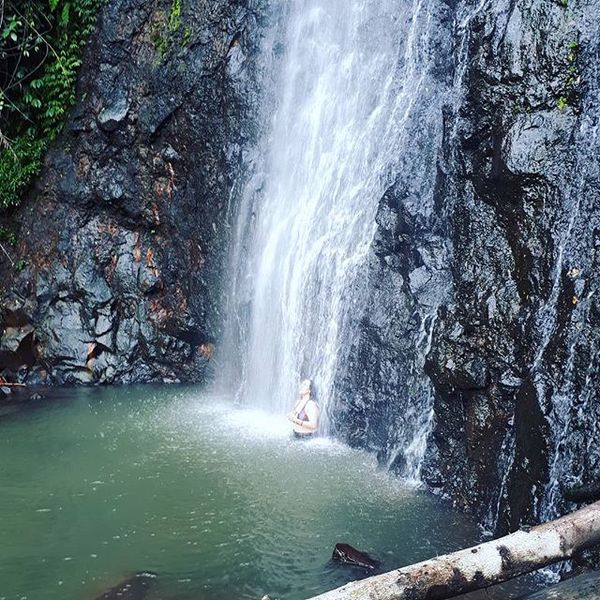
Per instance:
x=350, y=75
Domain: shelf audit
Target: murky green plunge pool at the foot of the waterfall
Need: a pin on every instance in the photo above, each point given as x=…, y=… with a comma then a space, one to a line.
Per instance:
x=220, y=502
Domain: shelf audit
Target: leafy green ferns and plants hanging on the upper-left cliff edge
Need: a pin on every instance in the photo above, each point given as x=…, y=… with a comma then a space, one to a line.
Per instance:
x=41, y=42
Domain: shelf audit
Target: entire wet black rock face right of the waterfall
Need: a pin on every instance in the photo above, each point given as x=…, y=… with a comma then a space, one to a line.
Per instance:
x=507, y=263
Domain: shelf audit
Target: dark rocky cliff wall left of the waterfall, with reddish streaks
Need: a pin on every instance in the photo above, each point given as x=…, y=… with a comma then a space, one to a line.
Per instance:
x=127, y=229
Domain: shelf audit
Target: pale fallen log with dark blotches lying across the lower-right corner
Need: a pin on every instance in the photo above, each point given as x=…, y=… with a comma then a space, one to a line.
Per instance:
x=483, y=565
